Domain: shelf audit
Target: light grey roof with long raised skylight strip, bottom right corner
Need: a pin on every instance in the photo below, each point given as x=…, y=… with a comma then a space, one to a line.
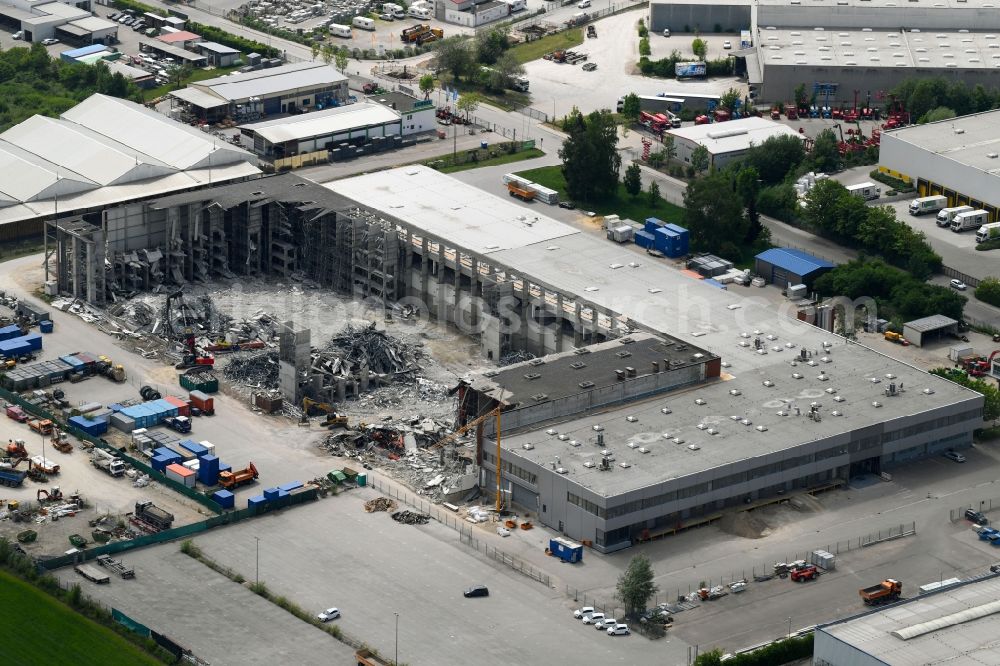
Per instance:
x=957, y=626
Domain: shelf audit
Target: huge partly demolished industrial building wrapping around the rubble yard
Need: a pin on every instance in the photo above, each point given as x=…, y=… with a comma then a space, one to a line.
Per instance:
x=697, y=400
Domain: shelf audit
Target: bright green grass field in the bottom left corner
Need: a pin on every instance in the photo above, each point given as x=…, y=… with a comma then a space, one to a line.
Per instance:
x=47, y=632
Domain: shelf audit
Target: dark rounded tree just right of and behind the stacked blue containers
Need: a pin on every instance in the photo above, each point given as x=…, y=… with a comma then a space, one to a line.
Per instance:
x=713, y=213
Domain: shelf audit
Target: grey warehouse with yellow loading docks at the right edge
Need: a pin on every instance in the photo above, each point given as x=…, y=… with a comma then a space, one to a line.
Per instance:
x=957, y=158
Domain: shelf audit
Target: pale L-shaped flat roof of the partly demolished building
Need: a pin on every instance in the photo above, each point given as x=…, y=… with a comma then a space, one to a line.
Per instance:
x=655, y=297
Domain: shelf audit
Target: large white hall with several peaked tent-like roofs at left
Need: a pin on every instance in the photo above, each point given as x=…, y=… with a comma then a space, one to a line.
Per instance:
x=102, y=152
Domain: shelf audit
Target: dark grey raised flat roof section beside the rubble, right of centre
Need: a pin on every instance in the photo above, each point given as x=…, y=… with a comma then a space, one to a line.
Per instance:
x=560, y=375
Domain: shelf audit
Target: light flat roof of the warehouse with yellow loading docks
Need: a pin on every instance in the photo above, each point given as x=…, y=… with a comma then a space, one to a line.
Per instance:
x=968, y=140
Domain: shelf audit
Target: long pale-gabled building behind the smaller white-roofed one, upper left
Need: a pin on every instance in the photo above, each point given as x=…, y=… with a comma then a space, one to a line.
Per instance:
x=303, y=86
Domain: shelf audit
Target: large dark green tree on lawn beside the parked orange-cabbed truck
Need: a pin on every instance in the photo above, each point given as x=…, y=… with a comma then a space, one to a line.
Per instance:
x=591, y=162
